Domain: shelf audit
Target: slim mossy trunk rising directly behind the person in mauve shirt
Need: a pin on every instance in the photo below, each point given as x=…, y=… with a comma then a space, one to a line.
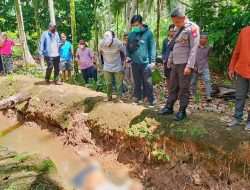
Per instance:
x=73, y=31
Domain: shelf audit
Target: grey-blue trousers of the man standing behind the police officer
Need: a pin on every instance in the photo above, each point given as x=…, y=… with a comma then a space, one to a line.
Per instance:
x=206, y=78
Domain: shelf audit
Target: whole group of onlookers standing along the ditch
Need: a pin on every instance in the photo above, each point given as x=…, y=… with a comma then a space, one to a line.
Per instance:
x=185, y=55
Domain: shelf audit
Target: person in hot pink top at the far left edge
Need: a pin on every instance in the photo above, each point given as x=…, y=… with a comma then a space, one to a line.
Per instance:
x=6, y=53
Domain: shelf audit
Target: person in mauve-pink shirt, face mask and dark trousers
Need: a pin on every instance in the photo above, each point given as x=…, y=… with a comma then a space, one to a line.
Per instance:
x=85, y=59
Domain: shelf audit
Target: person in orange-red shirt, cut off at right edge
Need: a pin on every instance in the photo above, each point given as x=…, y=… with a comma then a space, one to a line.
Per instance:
x=239, y=69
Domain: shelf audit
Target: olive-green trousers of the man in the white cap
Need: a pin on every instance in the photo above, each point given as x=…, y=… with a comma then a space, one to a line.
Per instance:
x=108, y=76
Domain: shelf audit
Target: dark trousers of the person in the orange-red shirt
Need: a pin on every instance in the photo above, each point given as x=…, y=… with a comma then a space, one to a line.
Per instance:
x=242, y=87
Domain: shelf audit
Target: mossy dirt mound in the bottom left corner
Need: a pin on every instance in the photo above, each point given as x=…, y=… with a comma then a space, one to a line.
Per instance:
x=28, y=171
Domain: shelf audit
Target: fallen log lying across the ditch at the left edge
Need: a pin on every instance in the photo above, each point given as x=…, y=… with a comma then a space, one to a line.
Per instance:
x=13, y=100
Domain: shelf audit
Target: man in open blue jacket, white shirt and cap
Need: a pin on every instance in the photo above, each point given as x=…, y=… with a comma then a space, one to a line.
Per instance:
x=49, y=48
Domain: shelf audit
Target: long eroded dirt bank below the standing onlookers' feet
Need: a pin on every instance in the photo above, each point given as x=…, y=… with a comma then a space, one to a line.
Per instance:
x=198, y=153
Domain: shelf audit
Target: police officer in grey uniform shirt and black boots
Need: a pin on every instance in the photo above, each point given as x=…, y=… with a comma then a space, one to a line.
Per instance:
x=182, y=57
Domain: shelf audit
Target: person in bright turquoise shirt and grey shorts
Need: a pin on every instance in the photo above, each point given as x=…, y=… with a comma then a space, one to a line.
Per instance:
x=65, y=57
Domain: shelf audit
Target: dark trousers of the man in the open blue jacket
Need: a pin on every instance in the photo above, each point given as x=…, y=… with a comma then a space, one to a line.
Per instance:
x=52, y=62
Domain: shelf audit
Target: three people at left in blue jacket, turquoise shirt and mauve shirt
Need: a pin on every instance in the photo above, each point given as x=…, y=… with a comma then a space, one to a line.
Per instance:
x=58, y=54
